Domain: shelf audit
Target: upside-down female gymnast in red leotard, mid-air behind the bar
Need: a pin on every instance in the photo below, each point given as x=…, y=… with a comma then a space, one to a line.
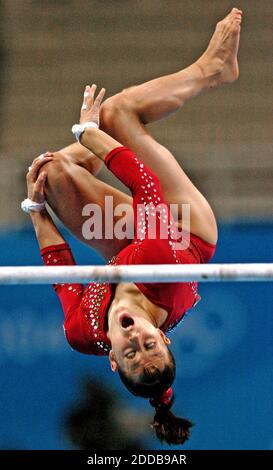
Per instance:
x=129, y=321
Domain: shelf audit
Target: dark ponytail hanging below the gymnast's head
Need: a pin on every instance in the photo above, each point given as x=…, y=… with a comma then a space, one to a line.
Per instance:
x=167, y=426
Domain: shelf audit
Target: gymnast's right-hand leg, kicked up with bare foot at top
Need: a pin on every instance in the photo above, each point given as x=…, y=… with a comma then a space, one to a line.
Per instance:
x=124, y=117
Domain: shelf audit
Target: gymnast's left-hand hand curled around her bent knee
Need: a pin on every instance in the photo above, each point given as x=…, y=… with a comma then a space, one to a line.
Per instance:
x=36, y=180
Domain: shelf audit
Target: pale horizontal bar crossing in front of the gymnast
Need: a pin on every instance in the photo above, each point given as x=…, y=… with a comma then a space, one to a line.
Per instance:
x=136, y=273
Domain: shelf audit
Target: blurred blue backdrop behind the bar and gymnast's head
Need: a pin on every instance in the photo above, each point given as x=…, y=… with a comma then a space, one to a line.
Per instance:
x=223, y=348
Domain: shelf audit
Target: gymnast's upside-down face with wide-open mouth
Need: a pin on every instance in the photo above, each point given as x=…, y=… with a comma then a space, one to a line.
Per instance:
x=137, y=344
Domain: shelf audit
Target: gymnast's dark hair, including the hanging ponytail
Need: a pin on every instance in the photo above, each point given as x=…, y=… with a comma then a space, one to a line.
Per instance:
x=152, y=384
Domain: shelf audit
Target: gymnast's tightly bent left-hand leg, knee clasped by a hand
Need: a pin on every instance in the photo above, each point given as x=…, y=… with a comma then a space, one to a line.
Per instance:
x=71, y=185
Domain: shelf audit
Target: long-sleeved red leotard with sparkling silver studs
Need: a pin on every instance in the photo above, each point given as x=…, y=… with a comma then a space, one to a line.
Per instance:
x=85, y=309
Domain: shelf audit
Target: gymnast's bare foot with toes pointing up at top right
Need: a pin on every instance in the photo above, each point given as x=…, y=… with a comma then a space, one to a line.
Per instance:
x=219, y=62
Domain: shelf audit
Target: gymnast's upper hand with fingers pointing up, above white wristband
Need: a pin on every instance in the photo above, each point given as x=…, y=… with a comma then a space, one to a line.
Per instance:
x=90, y=110
